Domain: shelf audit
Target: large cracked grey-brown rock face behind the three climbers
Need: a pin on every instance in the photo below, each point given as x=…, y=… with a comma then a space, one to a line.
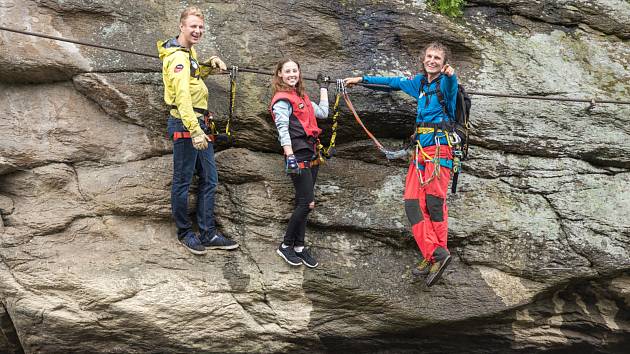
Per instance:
x=89, y=261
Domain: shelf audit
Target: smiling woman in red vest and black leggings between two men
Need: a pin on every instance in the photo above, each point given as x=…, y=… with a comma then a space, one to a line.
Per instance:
x=295, y=117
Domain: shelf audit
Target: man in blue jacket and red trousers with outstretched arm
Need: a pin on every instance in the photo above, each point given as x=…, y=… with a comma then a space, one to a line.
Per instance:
x=429, y=173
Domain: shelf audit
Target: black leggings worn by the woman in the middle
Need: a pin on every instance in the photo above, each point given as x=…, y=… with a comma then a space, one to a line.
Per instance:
x=304, y=184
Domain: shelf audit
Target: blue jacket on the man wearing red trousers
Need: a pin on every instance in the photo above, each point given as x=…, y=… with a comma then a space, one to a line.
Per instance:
x=429, y=108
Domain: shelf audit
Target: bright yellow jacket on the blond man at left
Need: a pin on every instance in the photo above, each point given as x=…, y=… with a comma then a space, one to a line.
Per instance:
x=183, y=83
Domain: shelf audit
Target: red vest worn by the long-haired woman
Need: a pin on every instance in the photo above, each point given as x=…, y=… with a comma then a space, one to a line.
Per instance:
x=302, y=123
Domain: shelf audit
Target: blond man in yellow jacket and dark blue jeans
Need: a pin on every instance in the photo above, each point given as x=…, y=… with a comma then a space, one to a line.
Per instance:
x=187, y=96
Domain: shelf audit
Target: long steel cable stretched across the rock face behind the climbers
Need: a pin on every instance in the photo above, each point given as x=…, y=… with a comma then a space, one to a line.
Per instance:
x=256, y=71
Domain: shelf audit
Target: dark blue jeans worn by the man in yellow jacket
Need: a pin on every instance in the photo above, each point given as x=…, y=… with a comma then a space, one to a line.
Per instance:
x=186, y=161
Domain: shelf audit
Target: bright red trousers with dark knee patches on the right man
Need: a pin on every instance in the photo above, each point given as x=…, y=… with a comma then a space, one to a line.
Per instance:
x=425, y=206
